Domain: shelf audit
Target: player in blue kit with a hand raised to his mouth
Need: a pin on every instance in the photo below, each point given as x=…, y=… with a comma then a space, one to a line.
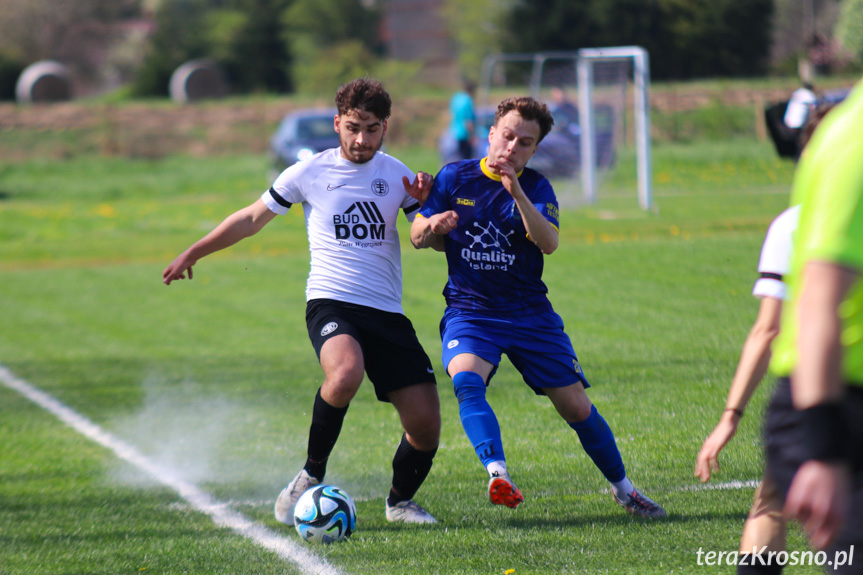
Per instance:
x=495, y=218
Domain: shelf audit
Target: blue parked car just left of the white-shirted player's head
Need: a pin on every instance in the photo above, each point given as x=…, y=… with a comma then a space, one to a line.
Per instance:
x=301, y=135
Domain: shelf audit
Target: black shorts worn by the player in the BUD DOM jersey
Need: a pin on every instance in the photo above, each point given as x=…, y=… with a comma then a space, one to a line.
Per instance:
x=393, y=356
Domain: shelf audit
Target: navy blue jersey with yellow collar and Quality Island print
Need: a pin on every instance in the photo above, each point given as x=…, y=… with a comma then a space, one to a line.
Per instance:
x=493, y=266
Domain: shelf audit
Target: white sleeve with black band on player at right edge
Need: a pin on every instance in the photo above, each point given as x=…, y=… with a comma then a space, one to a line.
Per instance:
x=775, y=262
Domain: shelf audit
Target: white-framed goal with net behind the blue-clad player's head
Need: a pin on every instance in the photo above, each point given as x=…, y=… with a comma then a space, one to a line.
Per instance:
x=602, y=155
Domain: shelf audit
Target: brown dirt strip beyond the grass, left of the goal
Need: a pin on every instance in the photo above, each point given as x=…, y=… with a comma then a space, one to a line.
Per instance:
x=151, y=130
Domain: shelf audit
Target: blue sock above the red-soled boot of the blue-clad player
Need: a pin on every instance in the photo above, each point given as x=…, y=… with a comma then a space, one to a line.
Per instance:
x=479, y=422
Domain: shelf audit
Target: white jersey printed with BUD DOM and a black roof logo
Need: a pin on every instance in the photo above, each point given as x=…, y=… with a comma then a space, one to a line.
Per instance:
x=351, y=211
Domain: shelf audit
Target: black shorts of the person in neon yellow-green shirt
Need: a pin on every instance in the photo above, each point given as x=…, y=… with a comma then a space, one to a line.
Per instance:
x=786, y=451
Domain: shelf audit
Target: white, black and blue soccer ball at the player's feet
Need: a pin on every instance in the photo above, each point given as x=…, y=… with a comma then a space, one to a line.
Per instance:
x=325, y=514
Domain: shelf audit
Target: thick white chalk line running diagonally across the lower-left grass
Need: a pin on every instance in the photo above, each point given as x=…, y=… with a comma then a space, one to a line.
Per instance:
x=220, y=512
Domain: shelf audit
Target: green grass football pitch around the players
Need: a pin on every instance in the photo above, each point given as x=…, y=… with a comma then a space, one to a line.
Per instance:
x=214, y=378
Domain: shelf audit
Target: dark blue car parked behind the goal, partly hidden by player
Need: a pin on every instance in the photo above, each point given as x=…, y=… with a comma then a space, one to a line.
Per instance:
x=559, y=153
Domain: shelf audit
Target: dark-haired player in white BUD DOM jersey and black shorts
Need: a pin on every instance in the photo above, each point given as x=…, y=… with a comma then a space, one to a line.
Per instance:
x=351, y=197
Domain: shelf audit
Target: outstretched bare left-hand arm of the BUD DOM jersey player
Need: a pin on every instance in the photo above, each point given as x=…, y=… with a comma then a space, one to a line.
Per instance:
x=241, y=224
